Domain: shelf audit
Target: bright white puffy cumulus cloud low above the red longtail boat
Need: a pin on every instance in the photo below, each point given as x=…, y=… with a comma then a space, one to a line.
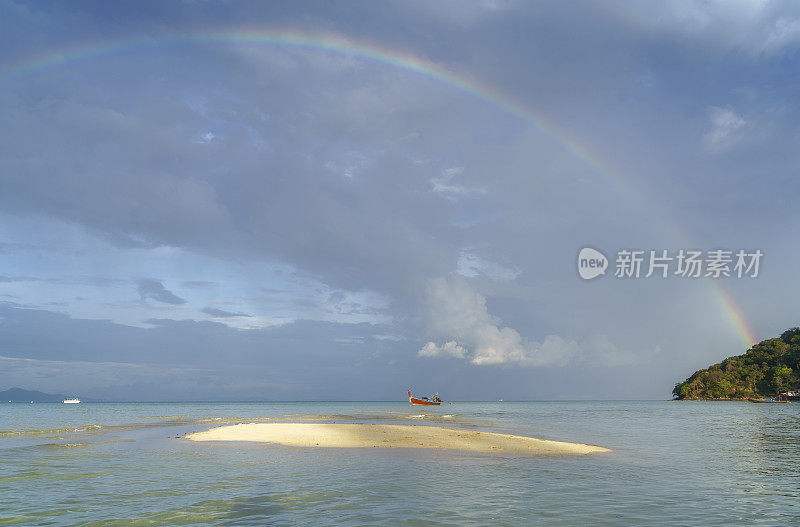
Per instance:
x=457, y=314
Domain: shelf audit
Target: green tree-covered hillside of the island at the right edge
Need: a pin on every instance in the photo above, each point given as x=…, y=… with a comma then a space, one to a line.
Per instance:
x=770, y=367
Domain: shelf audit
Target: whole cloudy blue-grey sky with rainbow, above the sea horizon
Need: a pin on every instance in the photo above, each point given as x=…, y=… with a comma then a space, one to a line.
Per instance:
x=207, y=200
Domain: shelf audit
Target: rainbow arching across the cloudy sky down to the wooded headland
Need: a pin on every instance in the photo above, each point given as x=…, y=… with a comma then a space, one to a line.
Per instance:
x=368, y=51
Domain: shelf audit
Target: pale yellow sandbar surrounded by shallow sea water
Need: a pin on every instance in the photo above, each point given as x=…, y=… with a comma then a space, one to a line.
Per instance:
x=335, y=435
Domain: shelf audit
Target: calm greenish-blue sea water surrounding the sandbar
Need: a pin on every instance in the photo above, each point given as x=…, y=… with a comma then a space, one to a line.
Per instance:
x=673, y=464
